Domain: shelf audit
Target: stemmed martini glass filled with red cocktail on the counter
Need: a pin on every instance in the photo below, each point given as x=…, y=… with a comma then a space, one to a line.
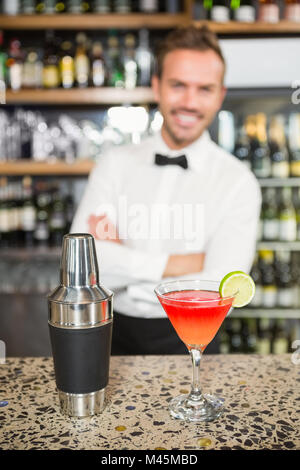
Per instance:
x=196, y=311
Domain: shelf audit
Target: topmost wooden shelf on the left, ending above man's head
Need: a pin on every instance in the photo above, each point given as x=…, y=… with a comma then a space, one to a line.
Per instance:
x=94, y=21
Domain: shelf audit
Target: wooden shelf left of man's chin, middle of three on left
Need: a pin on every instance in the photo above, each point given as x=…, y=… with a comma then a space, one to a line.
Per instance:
x=79, y=96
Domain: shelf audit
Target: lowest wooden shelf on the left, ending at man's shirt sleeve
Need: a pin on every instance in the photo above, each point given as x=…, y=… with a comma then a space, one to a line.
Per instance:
x=19, y=168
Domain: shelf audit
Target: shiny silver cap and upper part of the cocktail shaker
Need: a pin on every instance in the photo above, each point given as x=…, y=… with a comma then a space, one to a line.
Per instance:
x=79, y=301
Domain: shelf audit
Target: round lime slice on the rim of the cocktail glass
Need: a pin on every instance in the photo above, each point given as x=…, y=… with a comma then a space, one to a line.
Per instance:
x=239, y=284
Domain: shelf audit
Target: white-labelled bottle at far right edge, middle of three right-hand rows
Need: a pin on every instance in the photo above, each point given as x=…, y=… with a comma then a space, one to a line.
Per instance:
x=287, y=217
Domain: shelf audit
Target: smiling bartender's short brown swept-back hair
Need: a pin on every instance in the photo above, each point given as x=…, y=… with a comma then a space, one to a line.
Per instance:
x=191, y=38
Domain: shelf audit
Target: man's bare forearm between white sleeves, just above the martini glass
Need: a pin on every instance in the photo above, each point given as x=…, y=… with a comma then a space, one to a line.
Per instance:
x=179, y=265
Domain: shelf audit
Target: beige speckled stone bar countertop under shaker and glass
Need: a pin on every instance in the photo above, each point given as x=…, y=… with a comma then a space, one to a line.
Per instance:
x=262, y=405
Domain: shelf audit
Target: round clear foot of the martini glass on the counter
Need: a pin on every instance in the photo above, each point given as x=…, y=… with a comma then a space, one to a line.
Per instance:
x=185, y=408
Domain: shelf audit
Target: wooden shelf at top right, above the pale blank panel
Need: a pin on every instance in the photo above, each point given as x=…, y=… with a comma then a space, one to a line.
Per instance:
x=235, y=27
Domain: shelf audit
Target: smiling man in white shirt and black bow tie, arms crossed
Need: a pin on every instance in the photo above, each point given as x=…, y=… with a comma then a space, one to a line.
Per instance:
x=176, y=205
